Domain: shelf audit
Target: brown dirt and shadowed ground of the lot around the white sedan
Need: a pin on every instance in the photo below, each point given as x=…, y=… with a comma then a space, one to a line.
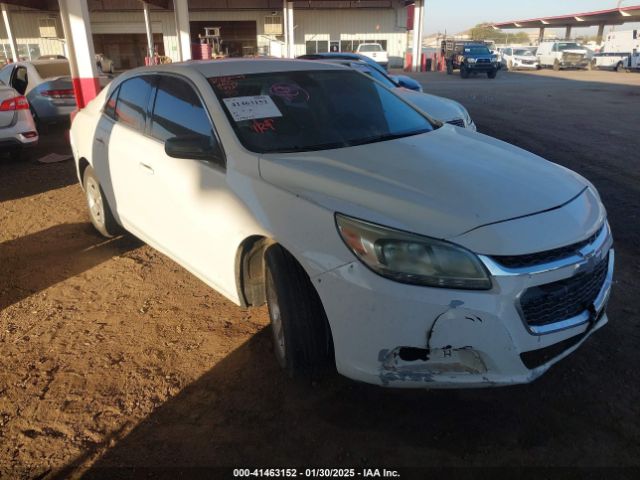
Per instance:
x=111, y=355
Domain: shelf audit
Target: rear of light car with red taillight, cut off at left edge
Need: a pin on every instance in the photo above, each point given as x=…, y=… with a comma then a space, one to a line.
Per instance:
x=17, y=129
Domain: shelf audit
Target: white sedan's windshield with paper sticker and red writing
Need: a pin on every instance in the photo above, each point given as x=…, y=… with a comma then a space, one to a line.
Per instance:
x=313, y=110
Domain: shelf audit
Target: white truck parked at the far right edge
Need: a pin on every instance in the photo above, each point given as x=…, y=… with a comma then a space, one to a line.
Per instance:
x=621, y=51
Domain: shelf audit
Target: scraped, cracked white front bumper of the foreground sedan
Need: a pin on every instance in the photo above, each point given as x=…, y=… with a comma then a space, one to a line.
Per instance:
x=407, y=336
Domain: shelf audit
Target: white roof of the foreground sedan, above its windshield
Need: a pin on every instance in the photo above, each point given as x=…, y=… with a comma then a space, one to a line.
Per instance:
x=239, y=66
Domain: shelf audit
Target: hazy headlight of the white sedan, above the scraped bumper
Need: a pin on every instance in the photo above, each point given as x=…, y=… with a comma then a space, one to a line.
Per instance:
x=410, y=258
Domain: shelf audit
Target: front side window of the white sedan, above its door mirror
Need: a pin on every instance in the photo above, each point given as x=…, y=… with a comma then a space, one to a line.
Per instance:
x=178, y=111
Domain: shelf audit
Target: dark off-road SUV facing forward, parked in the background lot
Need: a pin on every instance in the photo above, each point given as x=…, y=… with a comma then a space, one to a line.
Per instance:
x=469, y=57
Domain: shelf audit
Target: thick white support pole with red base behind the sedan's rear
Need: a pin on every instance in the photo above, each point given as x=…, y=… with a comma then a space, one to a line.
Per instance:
x=76, y=24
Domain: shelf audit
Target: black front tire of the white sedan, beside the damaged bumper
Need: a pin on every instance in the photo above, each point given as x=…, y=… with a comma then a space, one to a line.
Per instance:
x=302, y=339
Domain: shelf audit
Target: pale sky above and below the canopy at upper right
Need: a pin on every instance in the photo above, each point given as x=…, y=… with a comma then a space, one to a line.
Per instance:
x=458, y=15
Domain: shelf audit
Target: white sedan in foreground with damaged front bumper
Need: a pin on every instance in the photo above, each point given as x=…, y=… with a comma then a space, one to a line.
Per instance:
x=399, y=251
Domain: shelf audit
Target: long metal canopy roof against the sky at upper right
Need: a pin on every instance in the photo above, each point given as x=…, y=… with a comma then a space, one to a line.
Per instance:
x=614, y=16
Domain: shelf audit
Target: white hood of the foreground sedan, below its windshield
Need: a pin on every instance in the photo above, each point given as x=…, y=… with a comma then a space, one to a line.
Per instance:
x=442, y=183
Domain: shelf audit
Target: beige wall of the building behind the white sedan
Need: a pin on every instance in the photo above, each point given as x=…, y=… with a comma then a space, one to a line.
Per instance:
x=333, y=24
